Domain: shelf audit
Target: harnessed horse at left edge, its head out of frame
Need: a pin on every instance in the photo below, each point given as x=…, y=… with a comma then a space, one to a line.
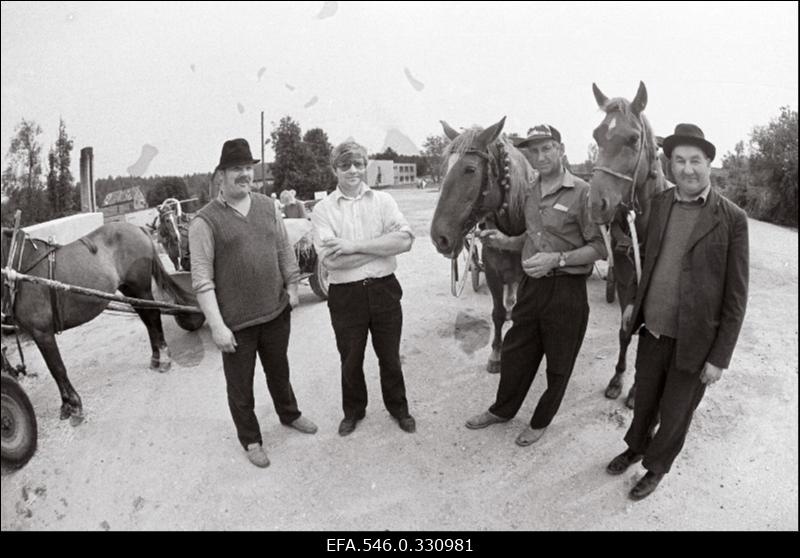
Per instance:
x=115, y=256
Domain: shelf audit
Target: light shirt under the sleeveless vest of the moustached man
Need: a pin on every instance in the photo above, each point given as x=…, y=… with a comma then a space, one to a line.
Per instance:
x=201, y=243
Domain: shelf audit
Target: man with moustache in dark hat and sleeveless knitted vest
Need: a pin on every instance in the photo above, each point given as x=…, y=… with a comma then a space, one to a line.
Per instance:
x=245, y=275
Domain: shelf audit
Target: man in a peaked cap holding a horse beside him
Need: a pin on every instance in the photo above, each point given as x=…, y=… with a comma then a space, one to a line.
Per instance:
x=558, y=248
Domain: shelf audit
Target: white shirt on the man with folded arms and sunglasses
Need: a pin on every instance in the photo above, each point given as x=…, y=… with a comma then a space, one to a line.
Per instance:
x=368, y=215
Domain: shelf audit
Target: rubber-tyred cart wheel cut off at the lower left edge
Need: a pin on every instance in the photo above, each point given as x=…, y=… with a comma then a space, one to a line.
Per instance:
x=19, y=430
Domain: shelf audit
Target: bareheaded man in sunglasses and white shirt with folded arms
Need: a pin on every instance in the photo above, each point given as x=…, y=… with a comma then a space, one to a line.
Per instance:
x=358, y=232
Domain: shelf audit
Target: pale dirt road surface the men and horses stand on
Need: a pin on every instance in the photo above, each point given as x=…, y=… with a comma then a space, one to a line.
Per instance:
x=158, y=451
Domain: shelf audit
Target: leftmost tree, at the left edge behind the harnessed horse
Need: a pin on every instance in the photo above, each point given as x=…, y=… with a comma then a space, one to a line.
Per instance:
x=22, y=177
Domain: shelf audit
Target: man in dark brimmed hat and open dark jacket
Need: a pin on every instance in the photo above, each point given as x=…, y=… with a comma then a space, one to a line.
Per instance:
x=689, y=306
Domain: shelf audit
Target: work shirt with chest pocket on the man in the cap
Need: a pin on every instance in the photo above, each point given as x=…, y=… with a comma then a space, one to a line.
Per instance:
x=560, y=222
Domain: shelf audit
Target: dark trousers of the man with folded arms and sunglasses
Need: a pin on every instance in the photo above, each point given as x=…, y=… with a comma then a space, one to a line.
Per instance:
x=371, y=307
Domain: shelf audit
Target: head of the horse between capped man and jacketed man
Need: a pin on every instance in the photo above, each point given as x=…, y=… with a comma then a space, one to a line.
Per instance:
x=626, y=152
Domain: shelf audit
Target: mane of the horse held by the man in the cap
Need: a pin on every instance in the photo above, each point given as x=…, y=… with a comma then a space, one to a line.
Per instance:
x=520, y=172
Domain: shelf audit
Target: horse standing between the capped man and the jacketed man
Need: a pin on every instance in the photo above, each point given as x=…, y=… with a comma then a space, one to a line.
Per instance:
x=626, y=176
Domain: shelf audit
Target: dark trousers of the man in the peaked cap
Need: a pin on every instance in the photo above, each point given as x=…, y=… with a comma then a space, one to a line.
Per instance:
x=550, y=319
